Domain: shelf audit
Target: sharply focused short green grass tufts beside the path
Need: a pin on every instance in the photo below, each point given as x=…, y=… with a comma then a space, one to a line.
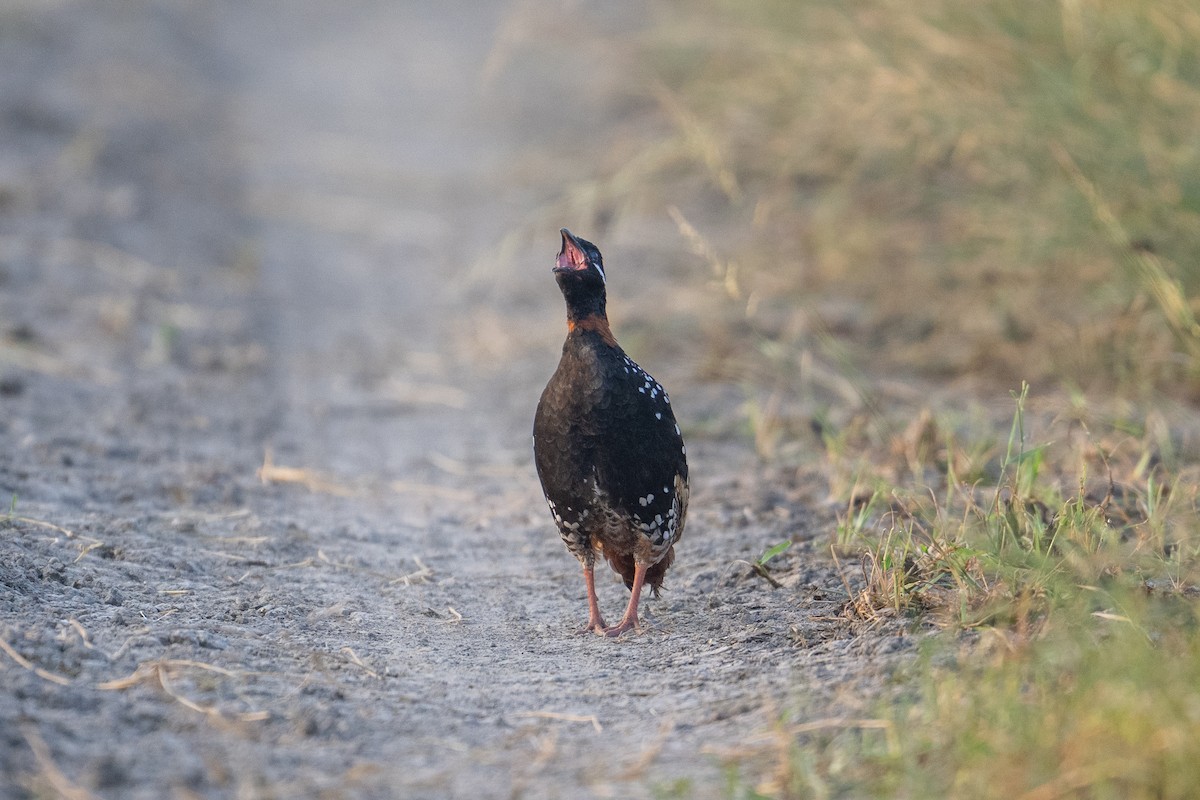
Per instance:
x=1037, y=519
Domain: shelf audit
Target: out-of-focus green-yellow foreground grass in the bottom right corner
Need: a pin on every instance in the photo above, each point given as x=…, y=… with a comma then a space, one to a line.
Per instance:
x=1018, y=719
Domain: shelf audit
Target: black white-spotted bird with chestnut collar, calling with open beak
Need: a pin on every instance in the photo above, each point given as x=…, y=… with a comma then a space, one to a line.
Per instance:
x=609, y=452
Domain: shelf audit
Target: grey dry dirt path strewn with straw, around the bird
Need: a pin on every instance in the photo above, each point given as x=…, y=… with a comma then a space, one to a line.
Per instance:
x=233, y=231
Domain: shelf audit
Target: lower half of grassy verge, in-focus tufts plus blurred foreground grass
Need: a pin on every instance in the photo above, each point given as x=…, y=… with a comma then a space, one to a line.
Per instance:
x=1066, y=582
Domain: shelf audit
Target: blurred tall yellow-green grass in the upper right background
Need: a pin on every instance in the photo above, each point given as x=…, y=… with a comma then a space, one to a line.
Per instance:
x=988, y=191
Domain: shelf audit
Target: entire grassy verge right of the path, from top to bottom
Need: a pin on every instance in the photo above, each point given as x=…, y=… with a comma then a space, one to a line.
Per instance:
x=967, y=199
